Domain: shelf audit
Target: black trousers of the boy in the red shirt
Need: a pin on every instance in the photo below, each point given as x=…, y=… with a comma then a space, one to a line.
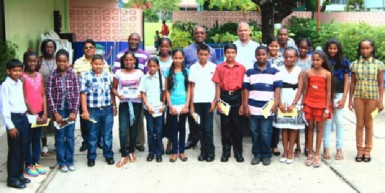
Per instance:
x=231, y=125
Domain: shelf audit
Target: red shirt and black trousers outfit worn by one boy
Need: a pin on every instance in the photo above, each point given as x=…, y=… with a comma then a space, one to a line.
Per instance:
x=230, y=80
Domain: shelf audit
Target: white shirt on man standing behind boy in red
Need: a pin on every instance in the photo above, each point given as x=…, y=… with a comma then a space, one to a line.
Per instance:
x=246, y=53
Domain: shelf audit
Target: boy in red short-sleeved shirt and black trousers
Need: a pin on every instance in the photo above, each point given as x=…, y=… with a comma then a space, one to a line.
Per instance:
x=228, y=77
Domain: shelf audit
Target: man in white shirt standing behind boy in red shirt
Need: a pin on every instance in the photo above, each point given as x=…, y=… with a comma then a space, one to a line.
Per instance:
x=245, y=46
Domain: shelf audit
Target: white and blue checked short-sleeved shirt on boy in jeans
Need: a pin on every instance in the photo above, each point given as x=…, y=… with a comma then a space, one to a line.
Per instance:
x=97, y=89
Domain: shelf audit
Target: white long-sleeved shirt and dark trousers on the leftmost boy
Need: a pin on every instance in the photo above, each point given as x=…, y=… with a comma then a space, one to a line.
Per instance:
x=14, y=116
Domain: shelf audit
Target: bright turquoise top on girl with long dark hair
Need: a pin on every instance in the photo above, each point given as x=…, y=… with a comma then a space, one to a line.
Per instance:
x=178, y=94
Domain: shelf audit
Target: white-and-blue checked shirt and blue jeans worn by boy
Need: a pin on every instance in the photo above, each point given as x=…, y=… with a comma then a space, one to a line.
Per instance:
x=99, y=104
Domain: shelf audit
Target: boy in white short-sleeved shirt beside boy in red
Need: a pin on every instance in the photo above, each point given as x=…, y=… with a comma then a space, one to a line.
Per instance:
x=203, y=103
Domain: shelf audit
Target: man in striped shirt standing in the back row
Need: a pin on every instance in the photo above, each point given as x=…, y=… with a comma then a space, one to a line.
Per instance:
x=143, y=56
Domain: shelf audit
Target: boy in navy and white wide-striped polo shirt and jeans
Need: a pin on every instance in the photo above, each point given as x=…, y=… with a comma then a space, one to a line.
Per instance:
x=261, y=85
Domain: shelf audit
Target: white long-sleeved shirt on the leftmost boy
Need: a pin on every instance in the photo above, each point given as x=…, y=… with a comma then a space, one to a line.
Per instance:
x=12, y=99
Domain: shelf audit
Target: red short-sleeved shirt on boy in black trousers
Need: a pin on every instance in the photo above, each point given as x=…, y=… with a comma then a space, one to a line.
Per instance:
x=229, y=78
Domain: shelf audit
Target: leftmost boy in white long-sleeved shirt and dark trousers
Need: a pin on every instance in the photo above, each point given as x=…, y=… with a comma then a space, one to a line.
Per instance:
x=14, y=116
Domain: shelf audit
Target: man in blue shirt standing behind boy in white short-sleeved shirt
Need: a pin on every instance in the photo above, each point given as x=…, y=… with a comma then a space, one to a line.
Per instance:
x=191, y=57
